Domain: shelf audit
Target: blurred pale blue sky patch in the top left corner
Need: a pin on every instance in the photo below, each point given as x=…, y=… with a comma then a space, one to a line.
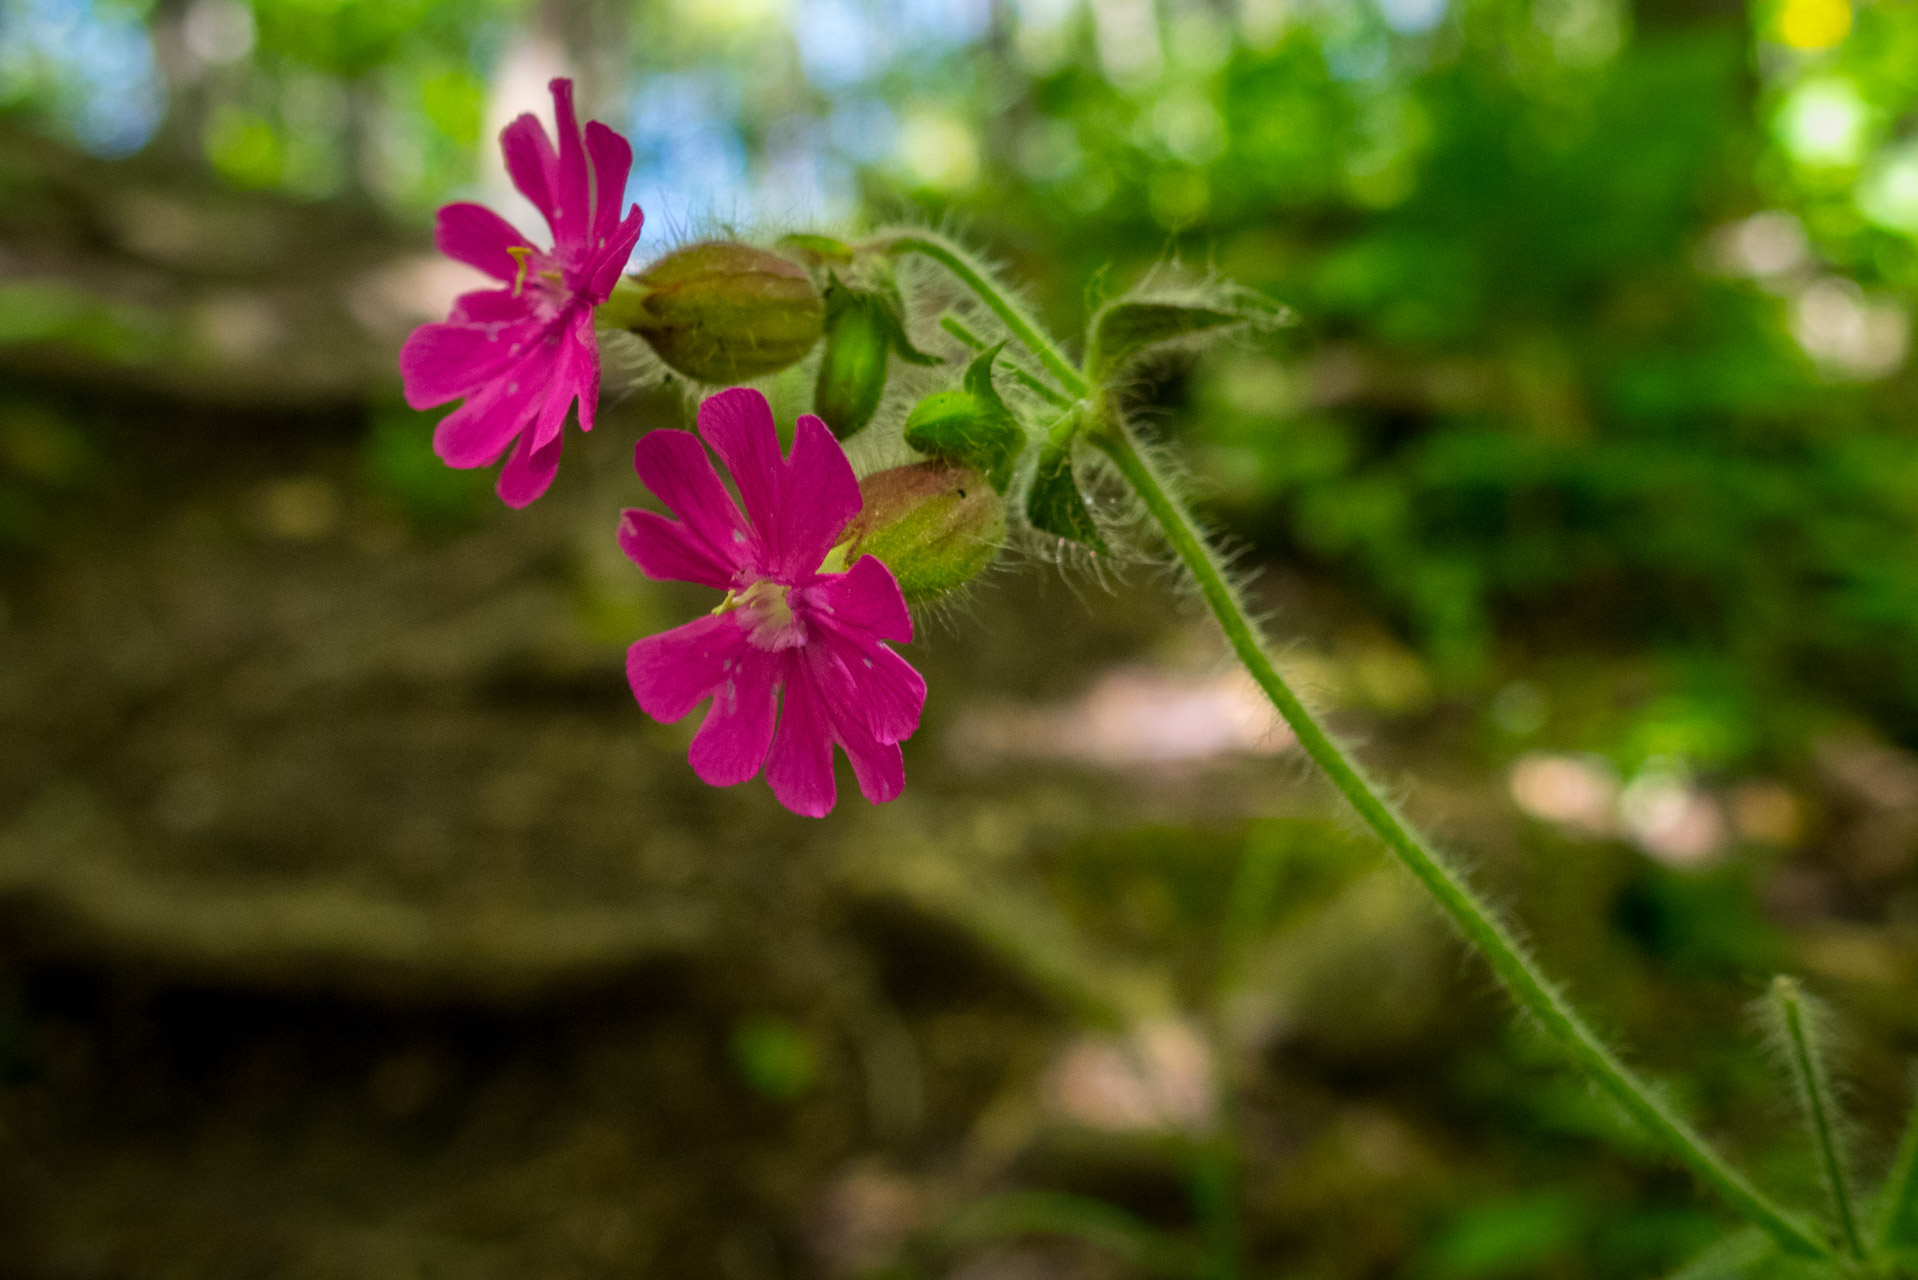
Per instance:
x=91, y=64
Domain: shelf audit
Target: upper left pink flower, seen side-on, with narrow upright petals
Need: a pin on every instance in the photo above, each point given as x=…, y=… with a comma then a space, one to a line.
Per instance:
x=523, y=354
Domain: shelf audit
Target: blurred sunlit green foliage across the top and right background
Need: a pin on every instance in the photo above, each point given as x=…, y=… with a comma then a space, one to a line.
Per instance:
x=1604, y=310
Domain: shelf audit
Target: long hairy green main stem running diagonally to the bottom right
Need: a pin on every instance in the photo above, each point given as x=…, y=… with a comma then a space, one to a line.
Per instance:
x=1482, y=930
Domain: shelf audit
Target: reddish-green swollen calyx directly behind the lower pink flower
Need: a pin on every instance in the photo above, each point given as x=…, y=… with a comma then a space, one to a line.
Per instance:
x=933, y=525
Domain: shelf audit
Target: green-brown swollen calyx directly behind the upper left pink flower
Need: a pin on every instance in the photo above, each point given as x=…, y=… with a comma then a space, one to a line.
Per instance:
x=722, y=312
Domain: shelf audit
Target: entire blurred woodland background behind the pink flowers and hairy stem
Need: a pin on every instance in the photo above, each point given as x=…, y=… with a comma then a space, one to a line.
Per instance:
x=356, y=924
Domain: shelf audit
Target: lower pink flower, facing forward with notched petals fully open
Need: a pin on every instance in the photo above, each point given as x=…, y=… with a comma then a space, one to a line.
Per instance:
x=785, y=625
